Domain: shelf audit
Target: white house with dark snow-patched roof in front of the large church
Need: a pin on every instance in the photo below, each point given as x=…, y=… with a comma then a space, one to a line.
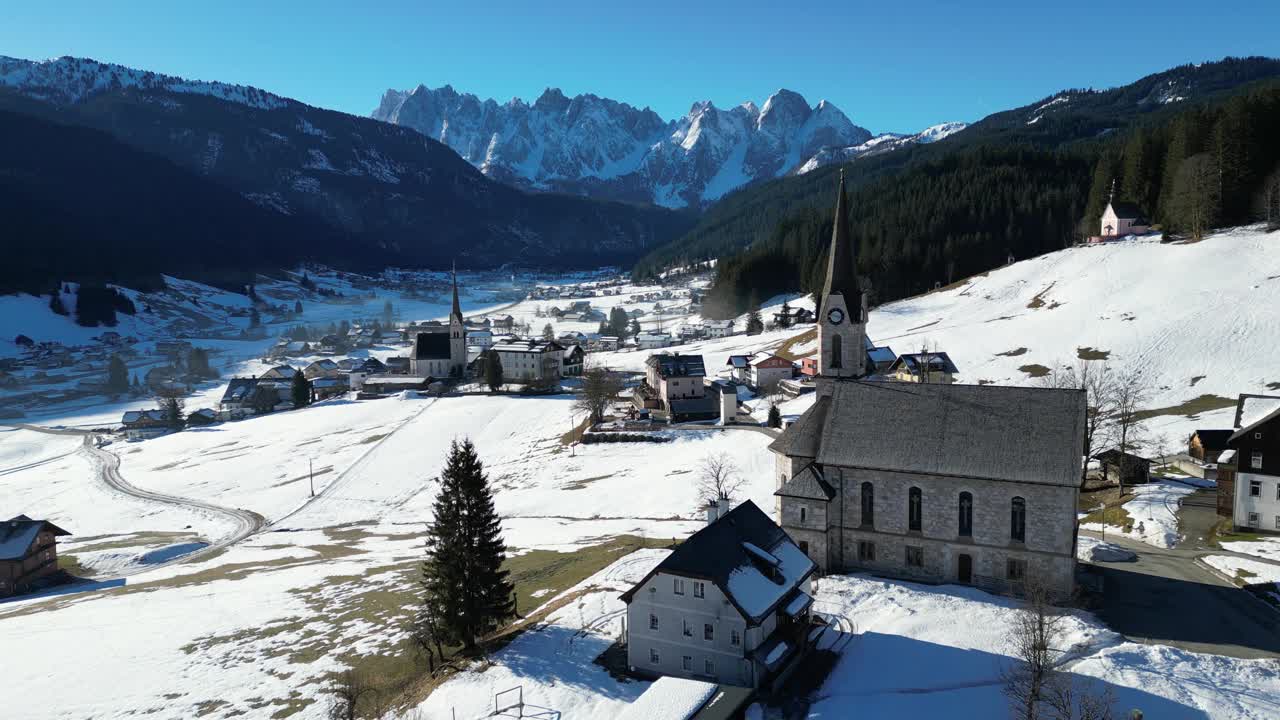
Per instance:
x=730, y=605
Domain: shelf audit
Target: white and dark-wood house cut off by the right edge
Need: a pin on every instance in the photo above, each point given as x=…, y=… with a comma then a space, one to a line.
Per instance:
x=1254, y=458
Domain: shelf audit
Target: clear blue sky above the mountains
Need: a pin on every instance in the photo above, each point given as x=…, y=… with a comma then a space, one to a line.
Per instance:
x=890, y=67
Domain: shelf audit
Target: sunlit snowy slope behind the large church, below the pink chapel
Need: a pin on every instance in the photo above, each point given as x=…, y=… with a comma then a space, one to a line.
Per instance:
x=1196, y=316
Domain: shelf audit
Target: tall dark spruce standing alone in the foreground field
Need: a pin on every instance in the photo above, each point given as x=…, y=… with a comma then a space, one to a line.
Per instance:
x=464, y=584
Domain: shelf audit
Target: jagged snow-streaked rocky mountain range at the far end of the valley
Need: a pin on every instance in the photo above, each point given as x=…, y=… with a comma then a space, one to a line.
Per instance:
x=592, y=145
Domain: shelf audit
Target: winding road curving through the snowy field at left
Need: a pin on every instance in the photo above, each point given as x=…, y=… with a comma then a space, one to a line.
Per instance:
x=108, y=471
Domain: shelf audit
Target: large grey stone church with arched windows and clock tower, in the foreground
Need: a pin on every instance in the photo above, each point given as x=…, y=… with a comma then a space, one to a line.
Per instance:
x=957, y=484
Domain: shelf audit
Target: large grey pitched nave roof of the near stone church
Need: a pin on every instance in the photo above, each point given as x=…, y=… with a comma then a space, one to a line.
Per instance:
x=994, y=432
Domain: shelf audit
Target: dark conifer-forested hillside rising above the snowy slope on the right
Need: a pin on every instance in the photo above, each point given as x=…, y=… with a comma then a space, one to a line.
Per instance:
x=939, y=213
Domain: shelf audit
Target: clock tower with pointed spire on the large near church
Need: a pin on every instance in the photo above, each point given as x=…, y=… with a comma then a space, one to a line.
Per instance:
x=843, y=311
